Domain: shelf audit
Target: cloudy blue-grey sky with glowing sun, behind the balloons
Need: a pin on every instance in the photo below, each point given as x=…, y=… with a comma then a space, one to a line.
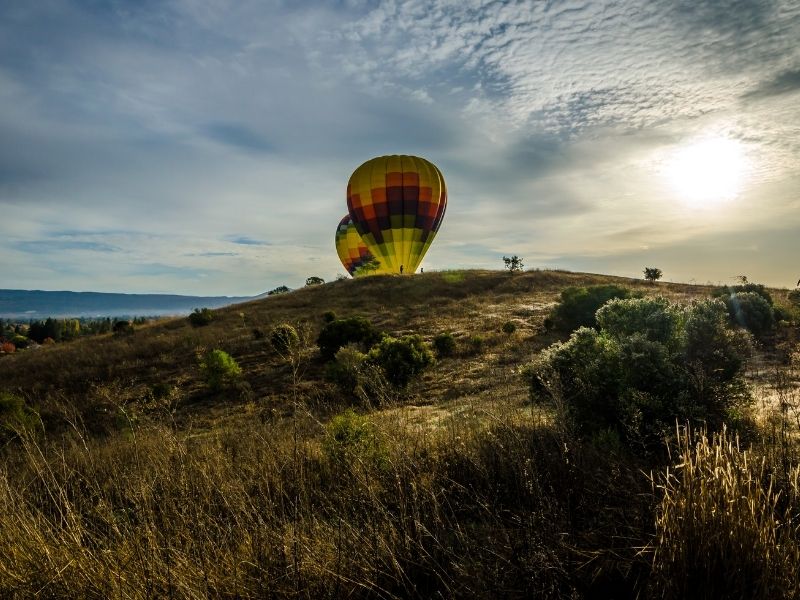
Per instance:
x=204, y=147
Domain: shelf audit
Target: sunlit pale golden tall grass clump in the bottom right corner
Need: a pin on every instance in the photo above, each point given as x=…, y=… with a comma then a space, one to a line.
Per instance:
x=727, y=527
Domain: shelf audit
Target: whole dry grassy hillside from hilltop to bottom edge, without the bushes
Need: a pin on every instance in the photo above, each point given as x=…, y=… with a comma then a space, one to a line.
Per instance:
x=142, y=482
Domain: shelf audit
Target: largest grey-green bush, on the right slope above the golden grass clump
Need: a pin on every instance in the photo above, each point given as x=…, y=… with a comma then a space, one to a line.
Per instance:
x=650, y=363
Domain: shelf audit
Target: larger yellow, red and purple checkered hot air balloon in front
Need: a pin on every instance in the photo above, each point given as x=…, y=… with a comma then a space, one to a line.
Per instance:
x=397, y=204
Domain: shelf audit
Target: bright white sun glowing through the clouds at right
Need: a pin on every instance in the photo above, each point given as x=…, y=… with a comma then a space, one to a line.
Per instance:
x=708, y=172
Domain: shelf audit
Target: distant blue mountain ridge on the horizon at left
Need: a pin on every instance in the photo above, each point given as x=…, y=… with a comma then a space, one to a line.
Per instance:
x=38, y=304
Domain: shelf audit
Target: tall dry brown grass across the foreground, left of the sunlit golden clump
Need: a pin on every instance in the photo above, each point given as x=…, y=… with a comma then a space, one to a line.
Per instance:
x=495, y=506
